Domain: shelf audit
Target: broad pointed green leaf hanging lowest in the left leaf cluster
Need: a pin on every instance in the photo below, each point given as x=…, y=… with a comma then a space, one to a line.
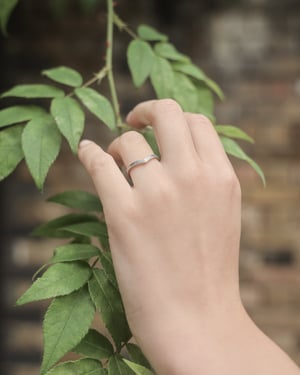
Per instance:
x=41, y=142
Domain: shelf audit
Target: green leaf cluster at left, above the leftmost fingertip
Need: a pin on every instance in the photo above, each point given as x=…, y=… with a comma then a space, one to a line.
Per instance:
x=36, y=135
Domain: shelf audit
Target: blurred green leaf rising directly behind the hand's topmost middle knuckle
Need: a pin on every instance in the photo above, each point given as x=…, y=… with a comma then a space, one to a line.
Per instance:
x=185, y=93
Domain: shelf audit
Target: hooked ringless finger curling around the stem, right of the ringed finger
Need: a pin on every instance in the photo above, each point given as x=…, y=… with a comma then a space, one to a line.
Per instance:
x=170, y=127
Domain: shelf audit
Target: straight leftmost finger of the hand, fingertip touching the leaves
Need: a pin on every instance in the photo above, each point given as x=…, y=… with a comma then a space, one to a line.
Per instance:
x=108, y=179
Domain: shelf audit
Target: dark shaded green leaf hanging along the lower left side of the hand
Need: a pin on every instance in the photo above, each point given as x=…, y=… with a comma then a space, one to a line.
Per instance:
x=107, y=300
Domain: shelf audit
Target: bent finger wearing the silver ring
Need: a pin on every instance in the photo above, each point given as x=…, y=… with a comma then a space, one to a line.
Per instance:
x=132, y=146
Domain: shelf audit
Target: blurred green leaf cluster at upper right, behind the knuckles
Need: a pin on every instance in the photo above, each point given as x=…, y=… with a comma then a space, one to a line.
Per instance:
x=173, y=75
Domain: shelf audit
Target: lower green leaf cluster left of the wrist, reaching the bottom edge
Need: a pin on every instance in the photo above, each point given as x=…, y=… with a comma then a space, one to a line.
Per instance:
x=81, y=282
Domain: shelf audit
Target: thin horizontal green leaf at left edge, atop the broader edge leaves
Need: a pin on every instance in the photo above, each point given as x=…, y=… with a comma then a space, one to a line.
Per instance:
x=34, y=91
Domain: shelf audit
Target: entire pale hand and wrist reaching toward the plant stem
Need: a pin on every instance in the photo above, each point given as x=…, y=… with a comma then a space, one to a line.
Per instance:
x=174, y=236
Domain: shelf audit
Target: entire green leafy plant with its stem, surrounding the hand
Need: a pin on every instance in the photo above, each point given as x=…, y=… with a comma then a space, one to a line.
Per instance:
x=81, y=279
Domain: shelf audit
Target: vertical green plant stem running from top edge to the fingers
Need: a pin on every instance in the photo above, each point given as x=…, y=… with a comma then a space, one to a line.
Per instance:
x=109, y=56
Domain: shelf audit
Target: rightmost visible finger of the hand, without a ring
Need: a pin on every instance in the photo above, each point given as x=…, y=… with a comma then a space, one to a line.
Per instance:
x=206, y=140
